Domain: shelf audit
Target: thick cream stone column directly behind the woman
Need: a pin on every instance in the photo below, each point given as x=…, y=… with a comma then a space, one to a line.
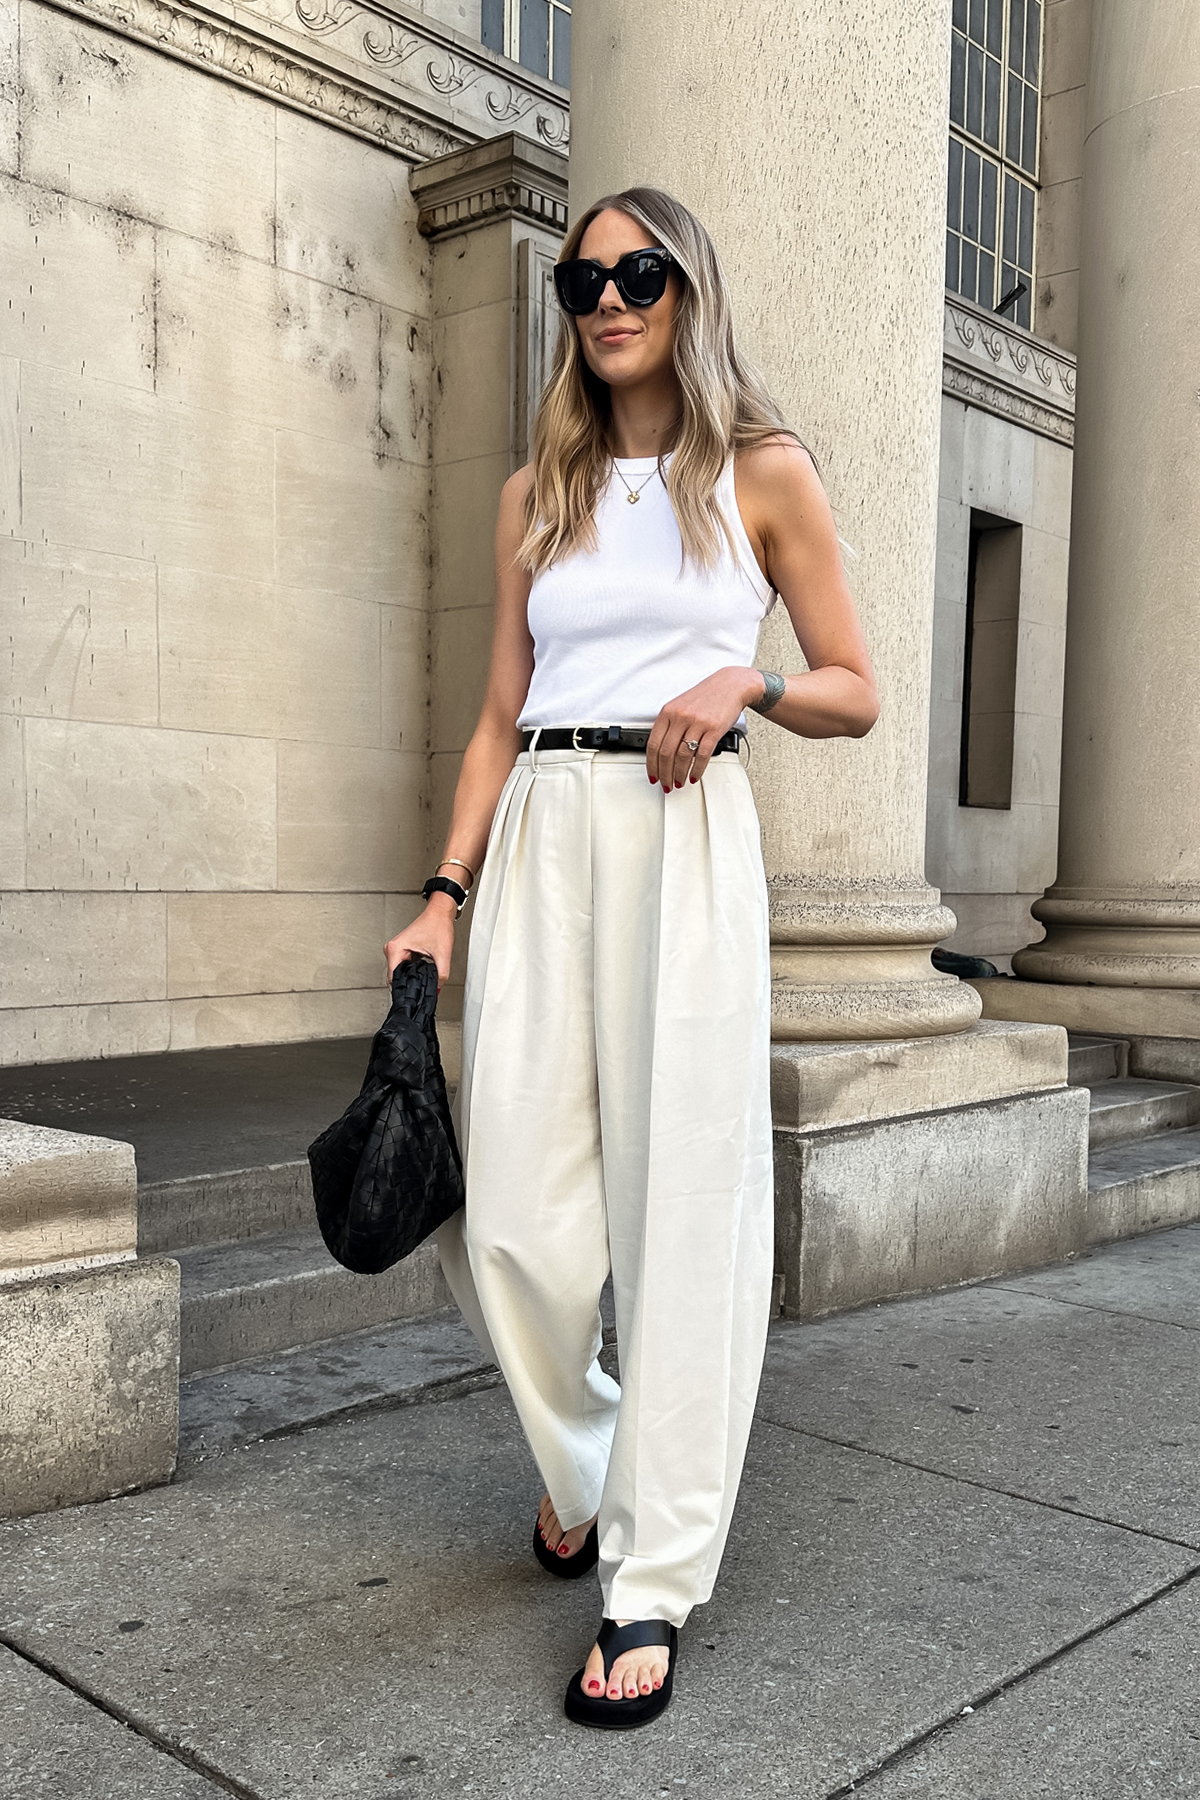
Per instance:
x=814, y=148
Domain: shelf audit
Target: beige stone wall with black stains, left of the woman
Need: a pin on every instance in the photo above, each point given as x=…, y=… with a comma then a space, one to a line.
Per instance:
x=217, y=397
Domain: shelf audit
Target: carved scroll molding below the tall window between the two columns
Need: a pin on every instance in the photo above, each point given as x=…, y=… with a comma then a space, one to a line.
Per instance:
x=1008, y=372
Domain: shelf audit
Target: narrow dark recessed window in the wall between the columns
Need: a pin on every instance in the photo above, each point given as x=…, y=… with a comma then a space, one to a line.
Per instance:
x=990, y=663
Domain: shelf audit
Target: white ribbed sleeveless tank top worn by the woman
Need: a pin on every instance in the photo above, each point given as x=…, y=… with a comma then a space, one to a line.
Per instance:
x=627, y=627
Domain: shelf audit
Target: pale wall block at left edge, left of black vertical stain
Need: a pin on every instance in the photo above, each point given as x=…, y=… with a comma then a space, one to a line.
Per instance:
x=82, y=285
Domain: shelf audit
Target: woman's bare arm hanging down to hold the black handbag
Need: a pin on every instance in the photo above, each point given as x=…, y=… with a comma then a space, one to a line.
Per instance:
x=496, y=744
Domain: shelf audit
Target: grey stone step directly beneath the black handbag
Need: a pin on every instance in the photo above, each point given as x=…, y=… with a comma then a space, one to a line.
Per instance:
x=264, y=1295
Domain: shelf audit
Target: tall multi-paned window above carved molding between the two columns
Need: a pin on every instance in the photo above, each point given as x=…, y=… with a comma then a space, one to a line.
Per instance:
x=996, y=69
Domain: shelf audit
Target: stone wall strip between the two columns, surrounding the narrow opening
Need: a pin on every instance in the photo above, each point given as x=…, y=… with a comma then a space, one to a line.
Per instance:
x=1007, y=435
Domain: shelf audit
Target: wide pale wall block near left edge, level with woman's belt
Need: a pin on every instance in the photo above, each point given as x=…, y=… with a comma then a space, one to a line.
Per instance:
x=136, y=807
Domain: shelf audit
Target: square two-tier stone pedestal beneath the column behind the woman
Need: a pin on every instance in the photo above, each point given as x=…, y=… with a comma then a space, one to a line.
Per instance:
x=906, y=1167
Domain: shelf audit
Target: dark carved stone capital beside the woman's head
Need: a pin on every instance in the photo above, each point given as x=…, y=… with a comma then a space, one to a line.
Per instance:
x=510, y=177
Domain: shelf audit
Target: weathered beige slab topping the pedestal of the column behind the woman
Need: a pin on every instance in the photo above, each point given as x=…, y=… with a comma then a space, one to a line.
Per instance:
x=827, y=1086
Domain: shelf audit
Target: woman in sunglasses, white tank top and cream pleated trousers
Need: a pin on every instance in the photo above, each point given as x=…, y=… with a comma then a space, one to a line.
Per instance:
x=614, y=1101
